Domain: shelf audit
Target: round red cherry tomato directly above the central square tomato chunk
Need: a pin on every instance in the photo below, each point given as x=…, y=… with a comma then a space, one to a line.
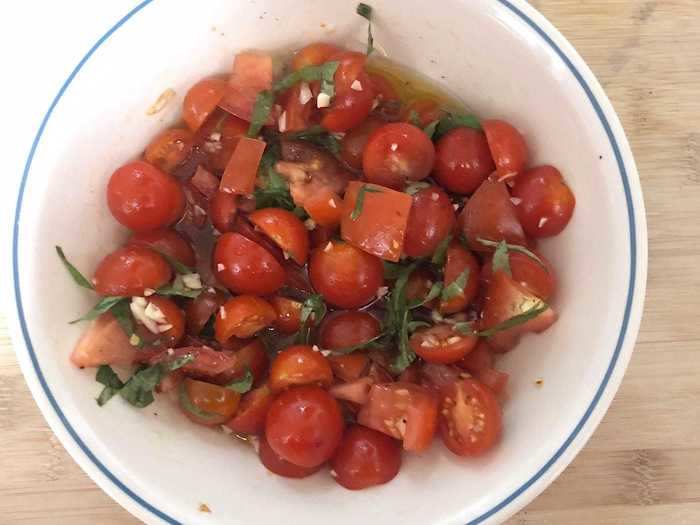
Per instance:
x=396, y=153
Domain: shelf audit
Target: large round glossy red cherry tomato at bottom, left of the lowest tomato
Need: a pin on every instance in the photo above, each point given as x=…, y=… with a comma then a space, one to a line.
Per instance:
x=304, y=426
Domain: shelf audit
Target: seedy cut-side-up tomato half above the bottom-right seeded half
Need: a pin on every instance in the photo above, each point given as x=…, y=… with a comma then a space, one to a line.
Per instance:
x=442, y=344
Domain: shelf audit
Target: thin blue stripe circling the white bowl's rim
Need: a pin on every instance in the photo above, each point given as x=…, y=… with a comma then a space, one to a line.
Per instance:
x=525, y=486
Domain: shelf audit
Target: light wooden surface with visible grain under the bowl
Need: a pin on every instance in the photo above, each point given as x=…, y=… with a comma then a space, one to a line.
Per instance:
x=641, y=466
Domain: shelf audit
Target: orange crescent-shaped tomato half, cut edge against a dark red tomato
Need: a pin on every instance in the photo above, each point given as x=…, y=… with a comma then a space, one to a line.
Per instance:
x=286, y=229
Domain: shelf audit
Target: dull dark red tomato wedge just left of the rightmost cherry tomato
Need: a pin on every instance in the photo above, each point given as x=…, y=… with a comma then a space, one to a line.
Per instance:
x=490, y=214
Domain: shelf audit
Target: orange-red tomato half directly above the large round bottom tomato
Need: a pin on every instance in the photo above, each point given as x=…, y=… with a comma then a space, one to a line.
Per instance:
x=299, y=365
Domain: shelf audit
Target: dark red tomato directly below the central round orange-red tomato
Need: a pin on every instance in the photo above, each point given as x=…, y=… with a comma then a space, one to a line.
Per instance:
x=344, y=329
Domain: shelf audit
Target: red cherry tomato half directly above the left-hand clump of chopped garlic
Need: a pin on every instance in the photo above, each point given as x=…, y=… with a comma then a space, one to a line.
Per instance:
x=130, y=270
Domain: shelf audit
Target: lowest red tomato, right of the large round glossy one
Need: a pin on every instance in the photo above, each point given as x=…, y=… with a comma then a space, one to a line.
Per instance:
x=365, y=458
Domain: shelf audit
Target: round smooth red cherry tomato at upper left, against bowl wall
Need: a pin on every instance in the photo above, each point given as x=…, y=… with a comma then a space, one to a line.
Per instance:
x=142, y=197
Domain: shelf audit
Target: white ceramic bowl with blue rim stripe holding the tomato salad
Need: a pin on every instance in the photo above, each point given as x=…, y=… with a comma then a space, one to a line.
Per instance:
x=505, y=60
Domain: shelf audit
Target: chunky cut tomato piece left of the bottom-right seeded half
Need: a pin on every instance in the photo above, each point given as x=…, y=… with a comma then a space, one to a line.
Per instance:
x=404, y=411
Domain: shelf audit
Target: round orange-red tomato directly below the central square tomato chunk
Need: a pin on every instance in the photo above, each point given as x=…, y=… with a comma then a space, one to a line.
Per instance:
x=345, y=276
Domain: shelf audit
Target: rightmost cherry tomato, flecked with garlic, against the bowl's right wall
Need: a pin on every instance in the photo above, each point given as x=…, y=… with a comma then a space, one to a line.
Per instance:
x=546, y=202
